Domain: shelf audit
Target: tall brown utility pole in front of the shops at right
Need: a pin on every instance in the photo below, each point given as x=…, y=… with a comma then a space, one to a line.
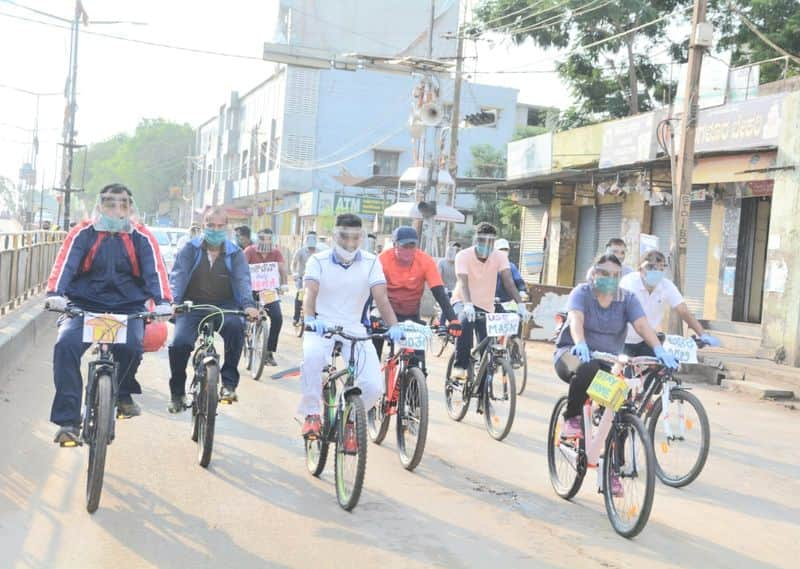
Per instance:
x=682, y=192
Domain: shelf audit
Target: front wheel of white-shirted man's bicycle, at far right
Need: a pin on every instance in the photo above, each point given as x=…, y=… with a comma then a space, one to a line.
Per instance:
x=681, y=438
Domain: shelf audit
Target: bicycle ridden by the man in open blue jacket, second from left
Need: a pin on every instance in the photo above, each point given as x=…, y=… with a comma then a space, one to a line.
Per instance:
x=205, y=384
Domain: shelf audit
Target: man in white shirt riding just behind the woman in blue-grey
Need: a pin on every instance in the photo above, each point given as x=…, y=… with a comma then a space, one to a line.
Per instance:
x=655, y=293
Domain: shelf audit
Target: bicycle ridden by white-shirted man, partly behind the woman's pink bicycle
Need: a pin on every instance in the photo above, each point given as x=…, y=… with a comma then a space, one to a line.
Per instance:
x=665, y=399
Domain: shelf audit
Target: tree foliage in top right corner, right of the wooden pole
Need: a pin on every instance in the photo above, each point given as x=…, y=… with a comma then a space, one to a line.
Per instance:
x=777, y=20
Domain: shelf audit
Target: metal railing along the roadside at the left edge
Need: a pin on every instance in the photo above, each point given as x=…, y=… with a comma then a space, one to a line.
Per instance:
x=26, y=259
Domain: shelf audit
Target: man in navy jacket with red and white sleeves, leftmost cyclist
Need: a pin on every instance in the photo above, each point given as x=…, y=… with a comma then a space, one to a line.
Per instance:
x=110, y=264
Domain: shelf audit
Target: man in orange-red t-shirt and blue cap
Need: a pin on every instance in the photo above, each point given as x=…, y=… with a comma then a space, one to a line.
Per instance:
x=407, y=270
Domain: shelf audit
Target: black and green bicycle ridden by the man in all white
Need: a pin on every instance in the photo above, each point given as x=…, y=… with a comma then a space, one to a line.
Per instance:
x=343, y=416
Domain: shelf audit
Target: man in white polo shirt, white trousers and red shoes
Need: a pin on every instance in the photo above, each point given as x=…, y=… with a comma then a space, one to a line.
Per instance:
x=338, y=283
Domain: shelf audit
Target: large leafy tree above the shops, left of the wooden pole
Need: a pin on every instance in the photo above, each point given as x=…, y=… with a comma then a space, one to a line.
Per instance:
x=614, y=79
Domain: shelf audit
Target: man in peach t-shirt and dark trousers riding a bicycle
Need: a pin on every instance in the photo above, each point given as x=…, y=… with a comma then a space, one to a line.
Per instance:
x=476, y=269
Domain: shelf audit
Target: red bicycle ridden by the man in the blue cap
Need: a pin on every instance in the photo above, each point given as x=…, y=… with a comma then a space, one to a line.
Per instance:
x=405, y=395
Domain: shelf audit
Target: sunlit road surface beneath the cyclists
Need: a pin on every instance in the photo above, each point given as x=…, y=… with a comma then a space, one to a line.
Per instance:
x=473, y=502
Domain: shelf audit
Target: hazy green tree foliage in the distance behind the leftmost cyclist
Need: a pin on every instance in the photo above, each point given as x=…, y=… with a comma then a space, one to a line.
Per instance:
x=149, y=162
